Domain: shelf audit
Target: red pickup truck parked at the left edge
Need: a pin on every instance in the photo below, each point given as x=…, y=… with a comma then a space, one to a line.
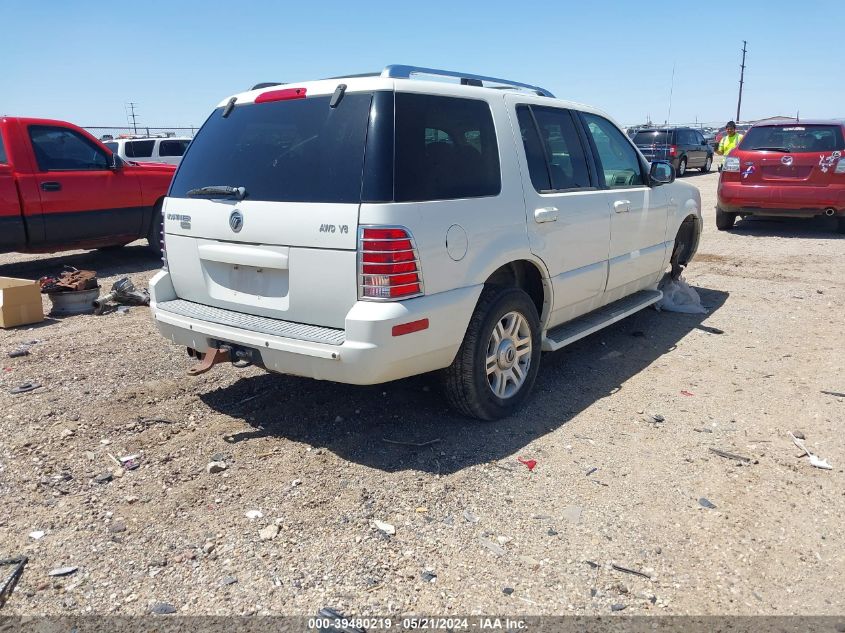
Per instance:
x=61, y=189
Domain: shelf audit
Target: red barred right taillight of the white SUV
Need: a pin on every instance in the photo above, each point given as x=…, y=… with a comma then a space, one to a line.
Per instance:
x=389, y=267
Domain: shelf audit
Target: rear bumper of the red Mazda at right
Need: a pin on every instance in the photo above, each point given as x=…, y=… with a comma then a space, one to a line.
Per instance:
x=794, y=200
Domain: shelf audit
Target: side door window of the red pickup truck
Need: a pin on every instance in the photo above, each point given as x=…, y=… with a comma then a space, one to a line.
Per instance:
x=59, y=148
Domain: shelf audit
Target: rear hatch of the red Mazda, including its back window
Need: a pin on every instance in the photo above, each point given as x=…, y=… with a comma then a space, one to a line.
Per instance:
x=790, y=155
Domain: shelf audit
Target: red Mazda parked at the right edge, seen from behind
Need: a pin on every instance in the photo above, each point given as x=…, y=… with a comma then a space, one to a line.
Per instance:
x=794, y=169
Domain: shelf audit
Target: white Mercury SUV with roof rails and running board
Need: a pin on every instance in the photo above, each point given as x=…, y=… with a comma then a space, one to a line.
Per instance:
x=369, y=228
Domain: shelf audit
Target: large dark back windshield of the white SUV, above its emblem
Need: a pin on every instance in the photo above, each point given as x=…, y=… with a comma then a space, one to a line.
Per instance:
x=299, y=151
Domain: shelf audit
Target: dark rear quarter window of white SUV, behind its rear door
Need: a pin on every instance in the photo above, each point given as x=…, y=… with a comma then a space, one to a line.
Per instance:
x=445, y=148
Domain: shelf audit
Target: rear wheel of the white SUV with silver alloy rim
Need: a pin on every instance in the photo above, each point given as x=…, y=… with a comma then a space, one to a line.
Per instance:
x=497, y=363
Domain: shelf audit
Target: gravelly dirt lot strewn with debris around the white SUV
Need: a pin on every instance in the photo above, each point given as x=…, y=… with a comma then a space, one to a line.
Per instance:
x=475, y=530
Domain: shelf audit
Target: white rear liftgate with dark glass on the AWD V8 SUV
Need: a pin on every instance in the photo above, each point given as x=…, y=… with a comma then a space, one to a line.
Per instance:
x=283, y=244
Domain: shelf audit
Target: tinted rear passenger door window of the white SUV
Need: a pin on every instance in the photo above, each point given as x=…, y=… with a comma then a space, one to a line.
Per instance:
x=558, y=146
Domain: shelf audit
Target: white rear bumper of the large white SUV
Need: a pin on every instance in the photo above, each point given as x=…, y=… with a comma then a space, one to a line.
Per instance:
x=365, y=353
